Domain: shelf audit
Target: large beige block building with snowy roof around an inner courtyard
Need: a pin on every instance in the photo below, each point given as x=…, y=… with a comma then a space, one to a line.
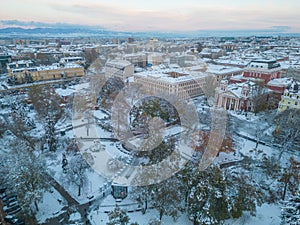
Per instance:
x=176, y=82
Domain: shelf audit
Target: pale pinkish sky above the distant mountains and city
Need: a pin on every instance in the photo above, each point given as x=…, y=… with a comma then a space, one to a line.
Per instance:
x=158, y=15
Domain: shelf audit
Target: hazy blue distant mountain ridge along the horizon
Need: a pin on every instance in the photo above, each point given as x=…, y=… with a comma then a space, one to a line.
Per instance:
x=100, y=32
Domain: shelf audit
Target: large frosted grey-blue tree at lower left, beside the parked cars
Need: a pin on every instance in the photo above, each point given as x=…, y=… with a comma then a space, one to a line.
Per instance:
x=24, y=174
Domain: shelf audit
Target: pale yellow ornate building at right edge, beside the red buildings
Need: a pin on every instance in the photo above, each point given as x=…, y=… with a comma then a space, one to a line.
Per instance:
x=290, y=98
